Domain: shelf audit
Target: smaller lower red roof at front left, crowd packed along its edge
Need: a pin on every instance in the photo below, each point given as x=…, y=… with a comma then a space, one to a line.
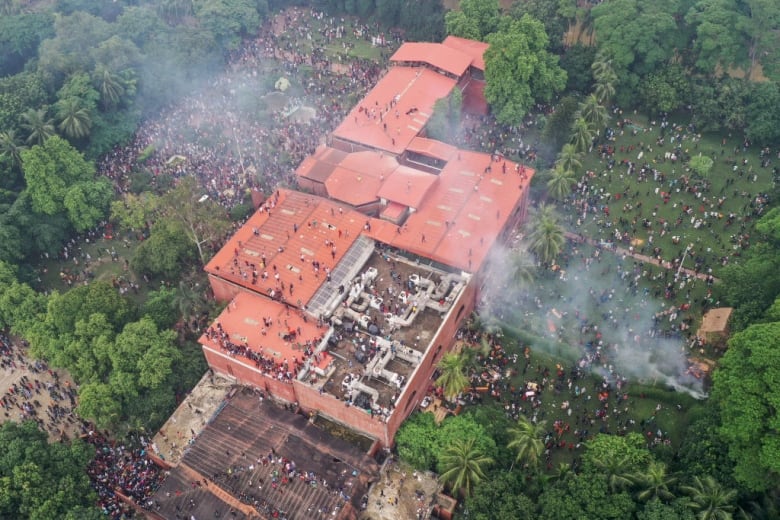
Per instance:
x=285, y=337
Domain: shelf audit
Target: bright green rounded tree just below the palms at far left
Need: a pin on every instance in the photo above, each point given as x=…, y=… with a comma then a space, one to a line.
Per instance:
x=51, y=170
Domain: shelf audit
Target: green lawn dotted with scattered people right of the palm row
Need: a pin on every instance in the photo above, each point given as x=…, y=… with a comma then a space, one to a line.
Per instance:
x=697, y=216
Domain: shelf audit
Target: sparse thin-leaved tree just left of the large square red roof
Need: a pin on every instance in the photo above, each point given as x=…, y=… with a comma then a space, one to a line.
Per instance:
x=202, y=221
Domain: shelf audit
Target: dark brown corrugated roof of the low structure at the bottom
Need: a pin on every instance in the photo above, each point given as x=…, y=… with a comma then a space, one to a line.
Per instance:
x=259, y=461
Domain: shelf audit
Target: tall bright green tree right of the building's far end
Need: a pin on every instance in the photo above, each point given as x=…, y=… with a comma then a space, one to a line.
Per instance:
x=519, y=71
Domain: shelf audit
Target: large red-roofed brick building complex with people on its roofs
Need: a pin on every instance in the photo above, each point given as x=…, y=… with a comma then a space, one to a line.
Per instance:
x=343, y=299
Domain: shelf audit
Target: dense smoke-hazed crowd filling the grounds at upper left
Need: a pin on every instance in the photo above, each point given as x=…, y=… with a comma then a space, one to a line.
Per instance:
x=210, y=135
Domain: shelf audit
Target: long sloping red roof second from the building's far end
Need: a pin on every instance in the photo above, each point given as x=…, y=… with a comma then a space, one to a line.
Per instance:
x=396, y=109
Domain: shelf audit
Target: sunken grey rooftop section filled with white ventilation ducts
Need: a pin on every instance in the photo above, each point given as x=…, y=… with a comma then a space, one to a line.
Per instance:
x=382, y=328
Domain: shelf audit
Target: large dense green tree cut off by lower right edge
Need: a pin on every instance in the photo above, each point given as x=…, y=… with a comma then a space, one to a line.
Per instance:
x=745, y=387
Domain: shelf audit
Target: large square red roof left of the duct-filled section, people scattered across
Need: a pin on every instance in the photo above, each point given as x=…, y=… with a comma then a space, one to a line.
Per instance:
x=290, y=230
